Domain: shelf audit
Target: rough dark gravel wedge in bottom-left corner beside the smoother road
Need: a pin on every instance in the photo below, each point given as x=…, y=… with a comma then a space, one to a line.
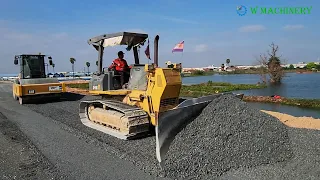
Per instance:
x=19, y=158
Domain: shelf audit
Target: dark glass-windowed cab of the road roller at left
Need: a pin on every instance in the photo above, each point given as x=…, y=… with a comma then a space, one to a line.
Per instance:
x=31, y=66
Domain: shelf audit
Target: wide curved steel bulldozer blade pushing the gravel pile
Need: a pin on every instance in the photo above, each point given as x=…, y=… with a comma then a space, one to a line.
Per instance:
x=171, y=122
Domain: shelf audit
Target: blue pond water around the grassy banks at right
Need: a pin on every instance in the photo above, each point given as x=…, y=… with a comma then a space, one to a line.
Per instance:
x=293, y=86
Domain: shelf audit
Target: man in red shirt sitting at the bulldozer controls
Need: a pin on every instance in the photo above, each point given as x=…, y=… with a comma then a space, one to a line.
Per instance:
x=120, y=66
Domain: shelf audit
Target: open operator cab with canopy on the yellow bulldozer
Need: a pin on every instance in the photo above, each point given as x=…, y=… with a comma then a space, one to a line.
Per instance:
x=105, y=79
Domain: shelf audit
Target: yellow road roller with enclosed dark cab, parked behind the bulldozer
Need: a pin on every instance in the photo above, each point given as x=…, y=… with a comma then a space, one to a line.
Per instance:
x=32, y=84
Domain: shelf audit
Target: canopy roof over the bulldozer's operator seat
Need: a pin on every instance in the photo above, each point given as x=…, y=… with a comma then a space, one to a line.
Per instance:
x=121, y=38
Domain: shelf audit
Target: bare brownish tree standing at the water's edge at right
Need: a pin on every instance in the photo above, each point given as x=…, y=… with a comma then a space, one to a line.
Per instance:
x=271, y=64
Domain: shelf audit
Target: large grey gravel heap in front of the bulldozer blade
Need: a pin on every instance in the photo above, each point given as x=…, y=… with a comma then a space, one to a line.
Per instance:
x=227, y=135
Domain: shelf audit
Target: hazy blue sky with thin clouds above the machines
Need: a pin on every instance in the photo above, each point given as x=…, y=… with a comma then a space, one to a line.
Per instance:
x=212, y=31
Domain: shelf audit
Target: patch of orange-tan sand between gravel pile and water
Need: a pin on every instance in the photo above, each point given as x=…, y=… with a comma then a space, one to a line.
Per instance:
x=296, y=122
